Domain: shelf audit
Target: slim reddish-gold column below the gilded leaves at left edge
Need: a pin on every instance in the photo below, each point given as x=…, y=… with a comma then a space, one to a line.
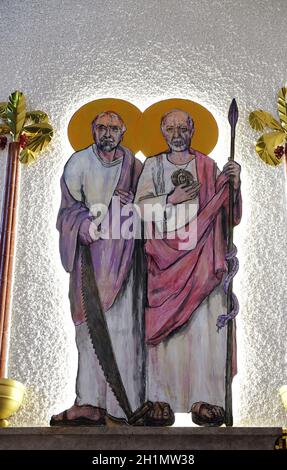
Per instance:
x=7, y=248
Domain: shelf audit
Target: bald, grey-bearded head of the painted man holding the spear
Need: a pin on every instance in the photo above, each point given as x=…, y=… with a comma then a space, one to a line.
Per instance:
x=177, y=131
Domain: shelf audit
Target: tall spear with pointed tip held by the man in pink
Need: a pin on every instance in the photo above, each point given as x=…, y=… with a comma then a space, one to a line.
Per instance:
x=233, y=118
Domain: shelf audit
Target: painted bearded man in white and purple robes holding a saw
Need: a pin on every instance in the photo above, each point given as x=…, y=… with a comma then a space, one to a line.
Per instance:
x=92, y=178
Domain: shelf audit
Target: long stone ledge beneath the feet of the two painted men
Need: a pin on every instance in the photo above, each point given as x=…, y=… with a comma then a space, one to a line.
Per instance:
x=133, y=438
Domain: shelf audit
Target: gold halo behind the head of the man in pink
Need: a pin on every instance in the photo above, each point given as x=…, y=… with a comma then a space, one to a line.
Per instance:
x=206, y=130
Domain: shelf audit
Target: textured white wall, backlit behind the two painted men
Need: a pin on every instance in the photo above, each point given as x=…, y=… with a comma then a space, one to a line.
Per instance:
x=63, y=53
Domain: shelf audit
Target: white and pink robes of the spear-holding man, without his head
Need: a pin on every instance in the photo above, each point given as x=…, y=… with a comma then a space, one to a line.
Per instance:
x=186, y=354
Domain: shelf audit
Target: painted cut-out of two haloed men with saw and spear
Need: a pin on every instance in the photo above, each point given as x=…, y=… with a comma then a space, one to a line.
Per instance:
x=149, y=250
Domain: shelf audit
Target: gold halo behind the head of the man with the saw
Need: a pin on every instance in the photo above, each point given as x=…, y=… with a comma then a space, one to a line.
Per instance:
x=80, y=130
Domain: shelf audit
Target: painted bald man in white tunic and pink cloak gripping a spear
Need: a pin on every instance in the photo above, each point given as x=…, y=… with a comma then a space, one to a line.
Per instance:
x=186, y=354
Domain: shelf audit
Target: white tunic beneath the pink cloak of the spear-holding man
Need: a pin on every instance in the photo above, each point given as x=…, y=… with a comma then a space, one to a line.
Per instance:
x=189, y=365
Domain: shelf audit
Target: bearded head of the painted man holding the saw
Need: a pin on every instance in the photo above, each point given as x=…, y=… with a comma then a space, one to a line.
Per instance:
x=107, y=132
